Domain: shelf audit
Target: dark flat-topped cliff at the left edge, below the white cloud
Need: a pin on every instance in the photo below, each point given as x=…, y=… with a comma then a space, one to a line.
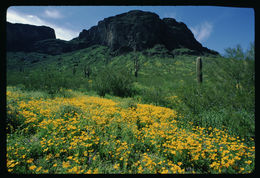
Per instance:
x=21, y=37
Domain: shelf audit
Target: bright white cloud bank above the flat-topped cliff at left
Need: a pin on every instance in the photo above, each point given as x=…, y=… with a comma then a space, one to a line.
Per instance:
x=61, y=33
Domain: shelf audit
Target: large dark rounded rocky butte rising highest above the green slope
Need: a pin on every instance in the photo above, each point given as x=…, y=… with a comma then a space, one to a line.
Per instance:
x=133, y=30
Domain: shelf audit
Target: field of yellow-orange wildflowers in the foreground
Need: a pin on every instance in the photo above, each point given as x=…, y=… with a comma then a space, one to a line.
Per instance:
x=87, y=135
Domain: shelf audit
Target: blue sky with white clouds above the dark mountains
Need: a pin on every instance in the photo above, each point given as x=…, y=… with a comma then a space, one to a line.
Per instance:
x=214, y=27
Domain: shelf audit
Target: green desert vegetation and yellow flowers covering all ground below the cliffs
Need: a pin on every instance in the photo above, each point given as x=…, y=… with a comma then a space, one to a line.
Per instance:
x=87, y=112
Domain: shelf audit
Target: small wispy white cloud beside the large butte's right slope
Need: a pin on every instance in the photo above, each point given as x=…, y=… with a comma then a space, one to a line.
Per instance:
x=202, y=31
